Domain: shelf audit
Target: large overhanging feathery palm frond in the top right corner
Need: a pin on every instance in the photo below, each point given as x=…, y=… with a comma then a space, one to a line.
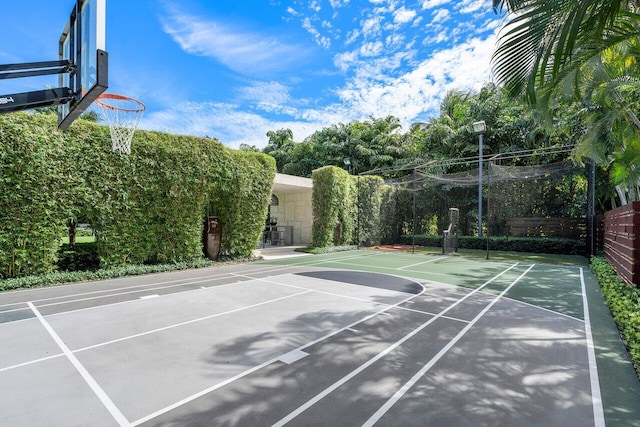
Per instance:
x=548, y=41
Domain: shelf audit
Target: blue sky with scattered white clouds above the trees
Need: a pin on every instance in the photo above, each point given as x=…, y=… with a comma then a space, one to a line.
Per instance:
x=234, y=70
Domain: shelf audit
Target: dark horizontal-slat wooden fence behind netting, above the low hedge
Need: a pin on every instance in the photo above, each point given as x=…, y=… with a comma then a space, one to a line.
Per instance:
x=571, y=228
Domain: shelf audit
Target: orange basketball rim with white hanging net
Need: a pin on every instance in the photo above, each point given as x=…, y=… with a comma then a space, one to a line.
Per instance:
x=123, y=115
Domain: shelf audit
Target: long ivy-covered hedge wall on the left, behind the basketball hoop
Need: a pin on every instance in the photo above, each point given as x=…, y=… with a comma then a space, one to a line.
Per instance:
x=145, y=207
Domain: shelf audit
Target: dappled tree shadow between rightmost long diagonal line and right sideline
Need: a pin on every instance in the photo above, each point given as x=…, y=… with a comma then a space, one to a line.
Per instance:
x=512, y=369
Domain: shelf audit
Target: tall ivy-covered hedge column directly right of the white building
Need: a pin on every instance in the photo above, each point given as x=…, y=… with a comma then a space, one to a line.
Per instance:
x=333, y=200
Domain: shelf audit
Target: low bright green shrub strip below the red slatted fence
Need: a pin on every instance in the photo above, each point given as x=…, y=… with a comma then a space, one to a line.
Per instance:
x=623, y=301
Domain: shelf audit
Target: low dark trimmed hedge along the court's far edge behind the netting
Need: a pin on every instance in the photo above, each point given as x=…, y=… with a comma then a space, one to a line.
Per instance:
x=549, y=245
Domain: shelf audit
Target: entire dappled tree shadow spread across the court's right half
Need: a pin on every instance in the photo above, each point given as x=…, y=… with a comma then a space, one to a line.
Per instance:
x=517, y=366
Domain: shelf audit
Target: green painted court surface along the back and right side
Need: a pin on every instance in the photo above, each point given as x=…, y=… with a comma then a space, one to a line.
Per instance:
x=557, y=288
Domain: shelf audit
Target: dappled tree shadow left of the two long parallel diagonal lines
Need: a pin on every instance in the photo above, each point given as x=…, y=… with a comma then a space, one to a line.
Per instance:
x=270, y=393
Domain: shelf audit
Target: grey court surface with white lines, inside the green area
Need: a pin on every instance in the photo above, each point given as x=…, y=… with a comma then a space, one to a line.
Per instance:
x=262, y=344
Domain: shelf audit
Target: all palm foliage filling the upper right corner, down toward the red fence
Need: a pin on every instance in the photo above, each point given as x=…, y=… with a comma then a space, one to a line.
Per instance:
x=587, y=49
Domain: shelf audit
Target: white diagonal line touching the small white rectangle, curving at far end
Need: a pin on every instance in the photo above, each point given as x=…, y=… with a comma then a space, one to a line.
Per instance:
x=265, y=364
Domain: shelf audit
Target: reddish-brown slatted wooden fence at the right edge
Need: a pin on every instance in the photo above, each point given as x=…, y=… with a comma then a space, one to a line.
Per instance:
x=622, y=241
